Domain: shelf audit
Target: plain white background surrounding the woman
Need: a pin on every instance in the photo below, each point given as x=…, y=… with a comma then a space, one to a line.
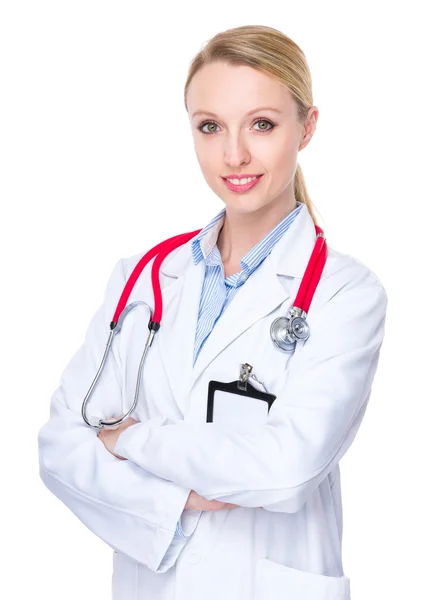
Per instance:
x=97, y=163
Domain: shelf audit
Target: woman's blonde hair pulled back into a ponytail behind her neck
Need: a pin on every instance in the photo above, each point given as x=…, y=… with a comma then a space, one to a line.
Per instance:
x=270, y=51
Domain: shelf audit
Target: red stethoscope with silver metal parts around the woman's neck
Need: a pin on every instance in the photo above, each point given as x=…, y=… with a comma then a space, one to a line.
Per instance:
x=285, y=331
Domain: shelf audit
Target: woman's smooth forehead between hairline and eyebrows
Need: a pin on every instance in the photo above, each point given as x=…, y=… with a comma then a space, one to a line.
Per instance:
x=231, y=91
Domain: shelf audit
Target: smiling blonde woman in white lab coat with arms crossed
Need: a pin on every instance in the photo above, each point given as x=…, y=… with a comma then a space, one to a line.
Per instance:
x=194, y=510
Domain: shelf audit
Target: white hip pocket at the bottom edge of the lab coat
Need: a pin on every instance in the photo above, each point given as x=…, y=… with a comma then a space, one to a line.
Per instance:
x=275, y=581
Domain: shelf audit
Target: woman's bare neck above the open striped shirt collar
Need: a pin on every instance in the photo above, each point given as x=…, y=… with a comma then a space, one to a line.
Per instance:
x=241, y=232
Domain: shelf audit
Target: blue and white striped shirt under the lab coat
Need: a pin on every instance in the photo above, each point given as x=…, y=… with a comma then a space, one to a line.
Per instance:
x=218, y=290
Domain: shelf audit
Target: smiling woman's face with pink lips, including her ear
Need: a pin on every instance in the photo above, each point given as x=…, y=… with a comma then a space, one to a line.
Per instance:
x=239, y=139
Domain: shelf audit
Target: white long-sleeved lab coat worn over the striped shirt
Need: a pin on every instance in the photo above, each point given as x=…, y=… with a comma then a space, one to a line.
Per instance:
x=284, y=539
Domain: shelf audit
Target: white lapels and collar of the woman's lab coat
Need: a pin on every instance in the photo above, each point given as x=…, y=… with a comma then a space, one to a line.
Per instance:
x=263, y=292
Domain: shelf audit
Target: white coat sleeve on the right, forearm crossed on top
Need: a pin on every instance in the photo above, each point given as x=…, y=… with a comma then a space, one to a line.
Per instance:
x=310, y=426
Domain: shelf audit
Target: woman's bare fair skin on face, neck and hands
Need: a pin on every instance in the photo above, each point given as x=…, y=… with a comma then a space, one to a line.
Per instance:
x=239, y=143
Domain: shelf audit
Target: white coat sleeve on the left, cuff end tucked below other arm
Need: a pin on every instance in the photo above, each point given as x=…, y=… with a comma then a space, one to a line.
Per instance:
x=134, y=511
